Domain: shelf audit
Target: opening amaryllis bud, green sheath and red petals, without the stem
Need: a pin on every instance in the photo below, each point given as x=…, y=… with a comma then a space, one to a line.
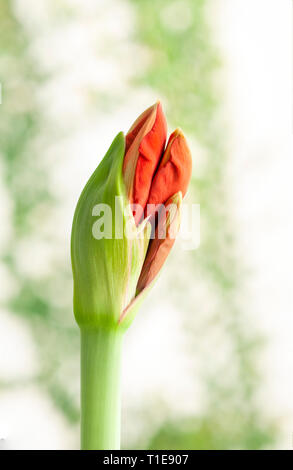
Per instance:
x=112, y=272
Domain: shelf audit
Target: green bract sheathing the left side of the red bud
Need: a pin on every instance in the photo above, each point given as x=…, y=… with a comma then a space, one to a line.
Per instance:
x=106, y=269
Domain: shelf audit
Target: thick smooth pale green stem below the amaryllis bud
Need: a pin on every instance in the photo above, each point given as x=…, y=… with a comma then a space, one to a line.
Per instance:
x=100, y=389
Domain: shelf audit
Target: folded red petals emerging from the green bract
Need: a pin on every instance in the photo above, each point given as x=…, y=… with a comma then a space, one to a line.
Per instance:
x=159, y=178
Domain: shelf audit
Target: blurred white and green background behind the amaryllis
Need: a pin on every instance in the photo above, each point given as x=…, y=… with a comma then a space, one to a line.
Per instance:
x=208, y=360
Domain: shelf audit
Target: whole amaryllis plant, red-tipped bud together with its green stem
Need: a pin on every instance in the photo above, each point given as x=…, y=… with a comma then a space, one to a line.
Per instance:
x=136, y=193
